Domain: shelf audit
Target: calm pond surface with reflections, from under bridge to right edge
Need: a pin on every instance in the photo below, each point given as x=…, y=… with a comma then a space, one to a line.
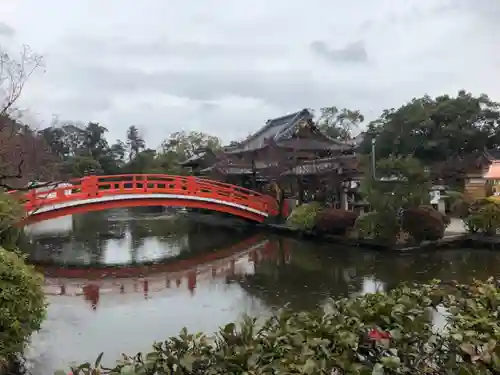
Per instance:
x=118, y=280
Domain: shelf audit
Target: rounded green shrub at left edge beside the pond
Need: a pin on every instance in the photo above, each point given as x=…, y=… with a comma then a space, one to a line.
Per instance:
x=22, y=304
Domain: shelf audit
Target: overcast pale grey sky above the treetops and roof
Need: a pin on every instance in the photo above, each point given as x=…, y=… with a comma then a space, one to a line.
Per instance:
x=226, y=66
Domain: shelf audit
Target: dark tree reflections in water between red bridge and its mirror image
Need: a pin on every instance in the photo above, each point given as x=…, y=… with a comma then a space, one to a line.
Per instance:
x=93, y=233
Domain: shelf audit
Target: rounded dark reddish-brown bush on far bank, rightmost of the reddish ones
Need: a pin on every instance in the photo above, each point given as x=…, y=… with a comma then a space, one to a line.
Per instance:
x=424, y=223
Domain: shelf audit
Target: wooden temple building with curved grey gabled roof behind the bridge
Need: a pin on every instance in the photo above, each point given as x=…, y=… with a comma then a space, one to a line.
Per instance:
x=289, y=150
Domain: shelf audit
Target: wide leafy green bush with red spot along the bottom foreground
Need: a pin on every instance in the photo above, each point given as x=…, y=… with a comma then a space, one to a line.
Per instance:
x=373, y=334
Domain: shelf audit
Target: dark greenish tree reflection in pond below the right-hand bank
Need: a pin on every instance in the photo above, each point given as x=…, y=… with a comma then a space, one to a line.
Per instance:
x=315, y=272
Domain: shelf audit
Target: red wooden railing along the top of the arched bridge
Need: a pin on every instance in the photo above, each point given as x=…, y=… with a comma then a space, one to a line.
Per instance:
x=176, y=186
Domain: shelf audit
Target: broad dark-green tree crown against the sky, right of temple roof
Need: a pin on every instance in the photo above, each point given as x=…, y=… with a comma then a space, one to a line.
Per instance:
x=436, y=129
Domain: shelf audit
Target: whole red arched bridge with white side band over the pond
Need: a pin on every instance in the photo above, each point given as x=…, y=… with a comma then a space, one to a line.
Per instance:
x=93, y=193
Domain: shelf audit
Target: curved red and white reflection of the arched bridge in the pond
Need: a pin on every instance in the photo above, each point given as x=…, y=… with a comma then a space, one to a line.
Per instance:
x=178, y=276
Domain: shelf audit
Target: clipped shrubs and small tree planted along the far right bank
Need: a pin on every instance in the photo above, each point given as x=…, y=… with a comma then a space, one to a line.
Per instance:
x=401, y=214
